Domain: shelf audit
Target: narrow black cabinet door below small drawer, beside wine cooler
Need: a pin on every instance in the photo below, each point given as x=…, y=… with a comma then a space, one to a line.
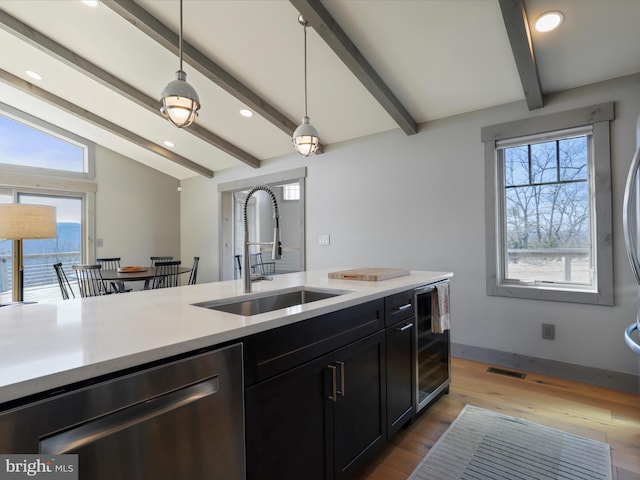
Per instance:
x=400, y=375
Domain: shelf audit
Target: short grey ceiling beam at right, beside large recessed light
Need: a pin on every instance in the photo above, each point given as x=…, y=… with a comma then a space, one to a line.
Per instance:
x=515, y=19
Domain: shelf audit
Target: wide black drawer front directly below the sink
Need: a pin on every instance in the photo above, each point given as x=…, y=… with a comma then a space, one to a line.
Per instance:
x=275, y=351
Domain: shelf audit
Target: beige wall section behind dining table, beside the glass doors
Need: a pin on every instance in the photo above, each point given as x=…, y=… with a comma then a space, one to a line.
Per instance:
x=137, y=210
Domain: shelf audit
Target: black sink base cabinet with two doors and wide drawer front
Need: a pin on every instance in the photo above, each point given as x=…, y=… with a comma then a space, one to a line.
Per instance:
x=326, y=417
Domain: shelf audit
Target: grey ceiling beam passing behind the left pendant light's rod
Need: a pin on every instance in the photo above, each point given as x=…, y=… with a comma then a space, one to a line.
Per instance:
x=158, y=31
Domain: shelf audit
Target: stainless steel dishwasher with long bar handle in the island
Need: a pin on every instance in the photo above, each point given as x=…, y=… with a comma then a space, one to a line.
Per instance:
x=180, y=420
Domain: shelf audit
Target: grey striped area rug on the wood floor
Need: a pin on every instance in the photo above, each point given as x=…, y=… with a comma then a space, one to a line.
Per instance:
x=485, y=445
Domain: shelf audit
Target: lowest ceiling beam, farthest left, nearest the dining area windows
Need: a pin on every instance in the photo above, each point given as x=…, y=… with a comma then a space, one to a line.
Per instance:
x=103, y=123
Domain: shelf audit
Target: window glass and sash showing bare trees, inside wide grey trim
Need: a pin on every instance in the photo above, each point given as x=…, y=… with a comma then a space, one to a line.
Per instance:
x=547, y=233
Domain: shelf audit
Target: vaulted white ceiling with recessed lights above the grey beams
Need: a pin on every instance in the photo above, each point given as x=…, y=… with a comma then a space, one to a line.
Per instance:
x=103, y=68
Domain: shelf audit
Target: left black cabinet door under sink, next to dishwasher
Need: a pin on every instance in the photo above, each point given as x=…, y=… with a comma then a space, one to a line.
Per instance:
x=289, y=422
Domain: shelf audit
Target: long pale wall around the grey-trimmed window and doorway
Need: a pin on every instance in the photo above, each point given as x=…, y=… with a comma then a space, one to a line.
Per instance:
x=418, y=202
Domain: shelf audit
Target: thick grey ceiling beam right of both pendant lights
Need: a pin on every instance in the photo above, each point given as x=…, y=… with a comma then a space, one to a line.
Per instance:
x=322, y=22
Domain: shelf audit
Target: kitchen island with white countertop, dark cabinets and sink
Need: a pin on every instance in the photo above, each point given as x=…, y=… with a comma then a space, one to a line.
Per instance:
x=317, y=384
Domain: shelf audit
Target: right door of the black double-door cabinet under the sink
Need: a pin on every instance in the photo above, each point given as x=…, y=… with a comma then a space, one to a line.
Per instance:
x=360, y=406
